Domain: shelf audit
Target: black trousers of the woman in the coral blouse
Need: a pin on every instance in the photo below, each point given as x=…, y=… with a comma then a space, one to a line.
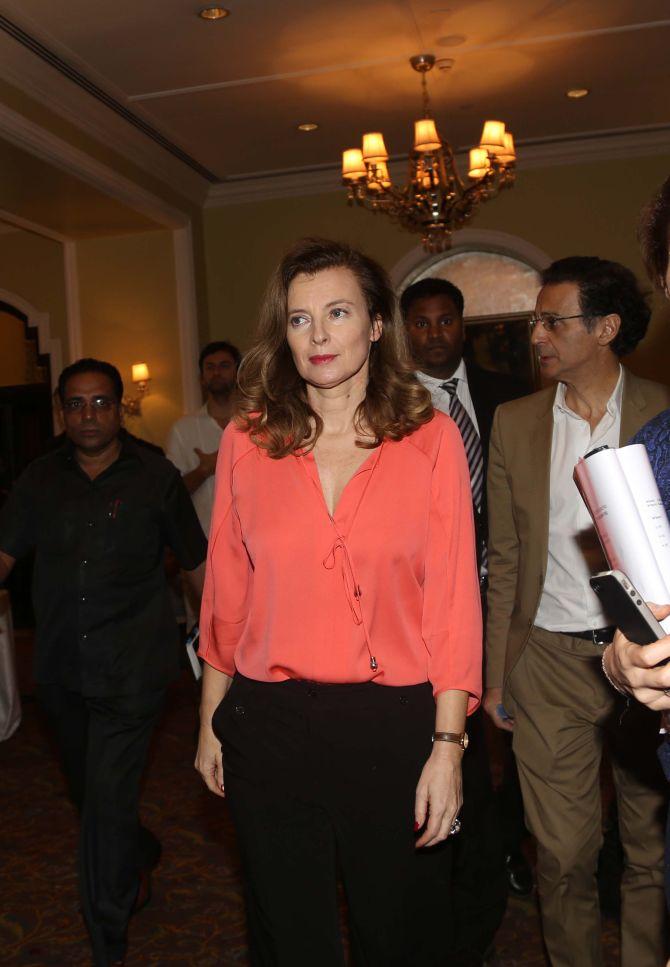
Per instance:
x=320, y=777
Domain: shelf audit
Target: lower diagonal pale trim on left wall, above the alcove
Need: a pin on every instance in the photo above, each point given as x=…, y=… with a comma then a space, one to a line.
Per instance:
x=48, y=147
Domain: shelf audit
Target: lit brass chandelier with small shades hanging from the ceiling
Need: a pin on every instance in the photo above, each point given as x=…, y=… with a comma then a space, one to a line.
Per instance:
x=435, y=201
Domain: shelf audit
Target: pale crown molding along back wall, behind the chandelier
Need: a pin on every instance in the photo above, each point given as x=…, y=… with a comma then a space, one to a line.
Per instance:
x=539, y=153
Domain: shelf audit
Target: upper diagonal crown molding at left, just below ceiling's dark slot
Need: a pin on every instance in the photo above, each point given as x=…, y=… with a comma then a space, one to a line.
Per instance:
x=43, y=83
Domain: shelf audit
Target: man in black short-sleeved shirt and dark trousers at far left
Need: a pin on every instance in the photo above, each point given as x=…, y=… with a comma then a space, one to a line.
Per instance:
x=99, y=513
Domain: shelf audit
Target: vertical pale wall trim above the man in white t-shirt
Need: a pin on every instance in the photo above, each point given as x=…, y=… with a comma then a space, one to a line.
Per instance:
x=187, y=317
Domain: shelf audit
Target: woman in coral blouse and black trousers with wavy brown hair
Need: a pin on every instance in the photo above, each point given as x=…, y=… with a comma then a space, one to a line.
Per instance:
x=341, y=624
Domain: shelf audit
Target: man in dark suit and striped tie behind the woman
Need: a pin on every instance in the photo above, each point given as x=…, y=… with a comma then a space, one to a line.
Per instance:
x=433, y=314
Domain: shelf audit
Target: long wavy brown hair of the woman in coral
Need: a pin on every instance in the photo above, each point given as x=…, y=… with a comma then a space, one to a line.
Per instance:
x=273, y=406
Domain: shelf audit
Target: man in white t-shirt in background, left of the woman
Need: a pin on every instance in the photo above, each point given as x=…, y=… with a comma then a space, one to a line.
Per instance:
x=193, y=443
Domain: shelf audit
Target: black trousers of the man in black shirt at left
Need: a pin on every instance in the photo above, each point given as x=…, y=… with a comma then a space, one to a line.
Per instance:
x=103, y=744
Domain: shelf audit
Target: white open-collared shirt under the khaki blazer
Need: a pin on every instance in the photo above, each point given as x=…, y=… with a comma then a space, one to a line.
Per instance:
x=575, y=554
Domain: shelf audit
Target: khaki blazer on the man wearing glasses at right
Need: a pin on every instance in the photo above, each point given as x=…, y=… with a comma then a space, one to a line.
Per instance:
x=518, y=505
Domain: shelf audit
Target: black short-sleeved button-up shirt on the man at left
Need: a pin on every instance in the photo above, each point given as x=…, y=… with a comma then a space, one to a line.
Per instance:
x=105, y=622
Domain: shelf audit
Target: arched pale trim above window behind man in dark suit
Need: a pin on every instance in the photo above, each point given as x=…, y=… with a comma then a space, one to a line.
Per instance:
x=469, y=239
